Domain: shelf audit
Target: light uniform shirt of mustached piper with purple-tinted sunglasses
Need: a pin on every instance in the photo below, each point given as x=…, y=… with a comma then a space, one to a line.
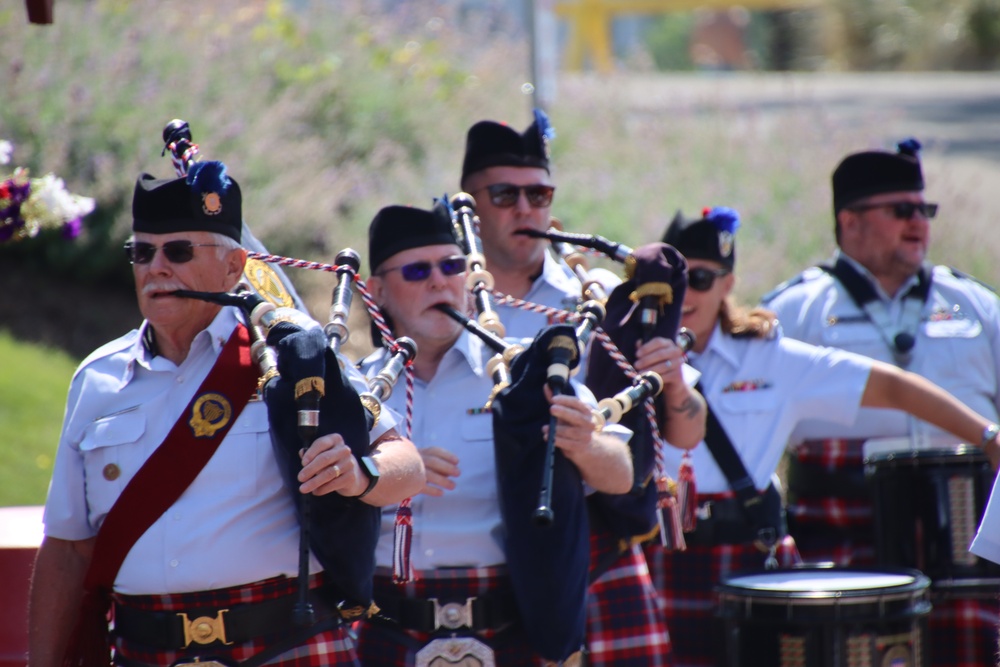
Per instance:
x=462, y=528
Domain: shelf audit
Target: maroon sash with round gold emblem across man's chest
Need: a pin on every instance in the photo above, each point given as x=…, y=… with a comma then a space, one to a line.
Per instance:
x=169, y=470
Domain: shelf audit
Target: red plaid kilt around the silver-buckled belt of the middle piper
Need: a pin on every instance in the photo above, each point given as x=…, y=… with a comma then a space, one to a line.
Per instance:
x=382, y=645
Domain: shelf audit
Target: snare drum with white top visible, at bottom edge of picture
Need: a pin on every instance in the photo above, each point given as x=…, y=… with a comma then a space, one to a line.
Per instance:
x=825, y=617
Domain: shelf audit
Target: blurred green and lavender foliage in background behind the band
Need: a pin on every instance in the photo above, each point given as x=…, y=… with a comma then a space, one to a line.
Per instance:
x=325, y=112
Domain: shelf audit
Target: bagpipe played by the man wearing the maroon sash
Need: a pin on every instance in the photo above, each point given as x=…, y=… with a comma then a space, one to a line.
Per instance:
x=308, y=396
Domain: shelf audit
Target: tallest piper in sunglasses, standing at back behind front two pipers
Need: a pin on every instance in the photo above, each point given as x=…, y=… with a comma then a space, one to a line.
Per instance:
x=508, y=173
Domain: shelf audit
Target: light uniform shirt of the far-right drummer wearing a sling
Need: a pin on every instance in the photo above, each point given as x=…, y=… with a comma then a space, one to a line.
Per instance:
x=957, y=345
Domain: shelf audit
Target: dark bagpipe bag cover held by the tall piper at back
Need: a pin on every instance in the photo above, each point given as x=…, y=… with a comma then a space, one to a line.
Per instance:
x=634, y=513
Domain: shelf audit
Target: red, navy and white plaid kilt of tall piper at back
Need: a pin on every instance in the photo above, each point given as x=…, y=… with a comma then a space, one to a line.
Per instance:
x=625, y=618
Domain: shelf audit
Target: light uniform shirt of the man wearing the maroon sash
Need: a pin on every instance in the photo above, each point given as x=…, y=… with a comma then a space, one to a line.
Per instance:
x=235, y=524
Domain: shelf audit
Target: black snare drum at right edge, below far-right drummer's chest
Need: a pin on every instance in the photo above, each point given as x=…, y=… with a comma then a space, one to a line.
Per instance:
x=927, y=506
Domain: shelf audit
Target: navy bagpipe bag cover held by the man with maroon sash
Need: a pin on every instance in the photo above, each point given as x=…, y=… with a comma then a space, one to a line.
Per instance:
x=342, y=531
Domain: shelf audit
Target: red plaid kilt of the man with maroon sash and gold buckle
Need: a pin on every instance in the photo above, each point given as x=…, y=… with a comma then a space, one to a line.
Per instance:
x=333, y=647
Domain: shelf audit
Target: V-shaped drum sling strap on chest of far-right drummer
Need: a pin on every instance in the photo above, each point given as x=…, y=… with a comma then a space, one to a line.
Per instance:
x=900, y=340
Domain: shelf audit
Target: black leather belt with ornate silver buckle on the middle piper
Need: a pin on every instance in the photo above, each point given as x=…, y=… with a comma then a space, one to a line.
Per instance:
x=486, y=612
